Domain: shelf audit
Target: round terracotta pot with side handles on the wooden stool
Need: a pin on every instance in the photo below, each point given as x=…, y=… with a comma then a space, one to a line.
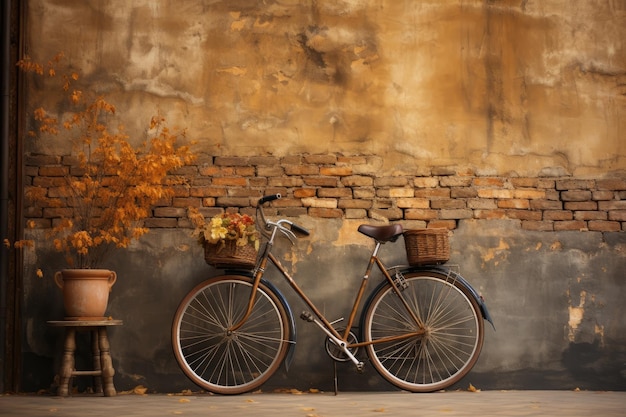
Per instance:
x=85, y=292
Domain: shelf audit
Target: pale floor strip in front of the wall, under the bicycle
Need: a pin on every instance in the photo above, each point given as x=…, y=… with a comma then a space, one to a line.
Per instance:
x=352, y=404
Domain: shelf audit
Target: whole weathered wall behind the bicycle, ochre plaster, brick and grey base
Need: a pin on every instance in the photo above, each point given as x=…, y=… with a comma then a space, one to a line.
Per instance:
x=503, y=89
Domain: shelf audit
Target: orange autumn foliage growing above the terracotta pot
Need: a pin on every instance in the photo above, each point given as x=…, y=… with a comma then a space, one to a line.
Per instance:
x=110, y=185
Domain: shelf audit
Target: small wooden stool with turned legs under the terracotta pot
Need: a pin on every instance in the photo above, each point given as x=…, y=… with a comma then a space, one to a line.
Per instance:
x=103, y=366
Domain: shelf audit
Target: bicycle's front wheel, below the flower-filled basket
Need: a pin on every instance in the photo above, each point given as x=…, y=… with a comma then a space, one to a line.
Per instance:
x=224, y=361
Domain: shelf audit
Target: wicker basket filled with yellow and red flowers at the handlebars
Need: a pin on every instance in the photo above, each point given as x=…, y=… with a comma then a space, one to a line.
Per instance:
x=230, y=240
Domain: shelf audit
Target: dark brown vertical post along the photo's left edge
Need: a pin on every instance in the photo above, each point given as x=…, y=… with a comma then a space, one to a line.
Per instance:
x=11, y=18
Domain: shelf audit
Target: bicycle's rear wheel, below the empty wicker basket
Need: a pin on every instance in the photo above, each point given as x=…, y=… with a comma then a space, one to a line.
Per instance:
x=453, y=332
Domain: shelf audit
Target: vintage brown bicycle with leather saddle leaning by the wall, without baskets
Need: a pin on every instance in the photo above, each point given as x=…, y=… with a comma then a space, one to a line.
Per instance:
x=422, y=327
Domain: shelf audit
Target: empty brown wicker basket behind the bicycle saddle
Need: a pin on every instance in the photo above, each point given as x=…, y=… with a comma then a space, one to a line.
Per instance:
x=427, y=246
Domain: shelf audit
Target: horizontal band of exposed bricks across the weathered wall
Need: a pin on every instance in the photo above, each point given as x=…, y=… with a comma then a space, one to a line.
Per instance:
x=336, y=186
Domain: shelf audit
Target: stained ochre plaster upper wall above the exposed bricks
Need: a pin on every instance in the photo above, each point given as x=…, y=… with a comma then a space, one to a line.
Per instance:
x=502, y=87
